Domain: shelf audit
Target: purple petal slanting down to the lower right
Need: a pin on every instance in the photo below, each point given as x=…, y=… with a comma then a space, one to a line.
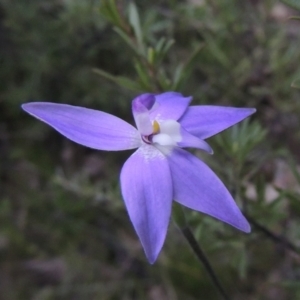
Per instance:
x=197, y=187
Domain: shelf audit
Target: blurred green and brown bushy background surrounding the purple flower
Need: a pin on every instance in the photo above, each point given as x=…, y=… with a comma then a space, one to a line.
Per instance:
x=64, y=232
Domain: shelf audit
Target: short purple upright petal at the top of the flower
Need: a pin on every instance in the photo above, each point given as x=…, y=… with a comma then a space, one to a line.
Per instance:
x=169, y=105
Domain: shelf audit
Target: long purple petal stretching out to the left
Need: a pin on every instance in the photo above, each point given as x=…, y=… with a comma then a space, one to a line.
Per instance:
x=88, y=127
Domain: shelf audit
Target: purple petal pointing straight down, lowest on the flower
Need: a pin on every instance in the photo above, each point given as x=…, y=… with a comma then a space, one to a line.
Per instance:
x=147, y=191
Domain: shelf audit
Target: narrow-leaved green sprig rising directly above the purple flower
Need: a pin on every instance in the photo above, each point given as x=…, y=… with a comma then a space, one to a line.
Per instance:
x=149, y=59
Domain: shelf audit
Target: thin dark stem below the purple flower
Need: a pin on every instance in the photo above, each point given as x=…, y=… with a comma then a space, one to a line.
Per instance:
x=187, y=233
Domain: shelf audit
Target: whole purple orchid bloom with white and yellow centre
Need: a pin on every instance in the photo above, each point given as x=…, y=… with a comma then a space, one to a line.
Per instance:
x=159, y=171
